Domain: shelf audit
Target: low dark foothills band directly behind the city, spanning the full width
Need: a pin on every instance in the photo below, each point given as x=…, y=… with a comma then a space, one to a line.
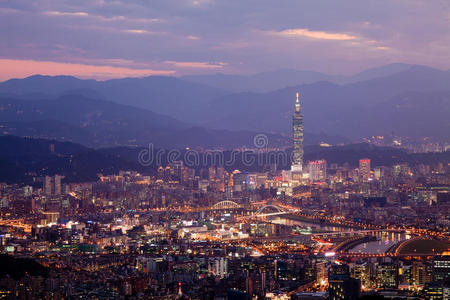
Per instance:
x=25, y=160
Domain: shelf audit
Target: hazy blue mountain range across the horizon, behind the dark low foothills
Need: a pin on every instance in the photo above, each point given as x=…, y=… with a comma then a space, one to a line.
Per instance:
x=227, y=111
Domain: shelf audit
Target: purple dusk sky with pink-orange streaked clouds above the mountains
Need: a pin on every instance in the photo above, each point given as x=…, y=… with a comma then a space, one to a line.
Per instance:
x=176, y=37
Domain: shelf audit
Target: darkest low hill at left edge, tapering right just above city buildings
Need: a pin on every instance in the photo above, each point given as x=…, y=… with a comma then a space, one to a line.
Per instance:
x=23, y=160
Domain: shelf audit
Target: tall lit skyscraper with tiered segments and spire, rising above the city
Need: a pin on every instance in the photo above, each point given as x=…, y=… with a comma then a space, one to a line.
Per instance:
x=297, y=128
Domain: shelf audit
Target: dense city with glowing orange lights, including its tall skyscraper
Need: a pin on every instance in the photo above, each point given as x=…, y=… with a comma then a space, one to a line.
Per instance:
x=316, y=231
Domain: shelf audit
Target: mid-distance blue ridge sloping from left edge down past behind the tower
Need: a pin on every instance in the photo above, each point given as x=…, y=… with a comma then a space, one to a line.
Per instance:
x=98, y=123
